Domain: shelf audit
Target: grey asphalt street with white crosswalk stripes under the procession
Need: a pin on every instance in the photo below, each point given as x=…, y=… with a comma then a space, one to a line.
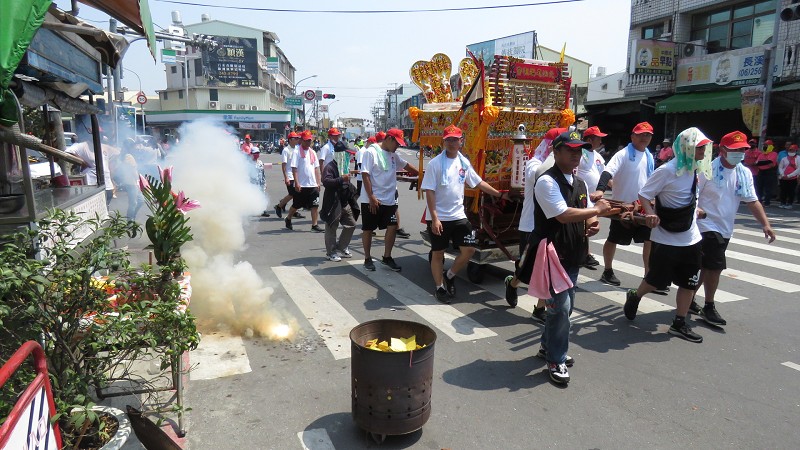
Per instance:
x=633, y=385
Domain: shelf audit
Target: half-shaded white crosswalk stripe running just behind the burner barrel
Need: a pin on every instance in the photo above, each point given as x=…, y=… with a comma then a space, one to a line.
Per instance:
x=445, y=318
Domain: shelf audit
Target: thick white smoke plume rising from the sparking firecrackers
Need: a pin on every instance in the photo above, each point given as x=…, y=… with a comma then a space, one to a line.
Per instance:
x=210, y=168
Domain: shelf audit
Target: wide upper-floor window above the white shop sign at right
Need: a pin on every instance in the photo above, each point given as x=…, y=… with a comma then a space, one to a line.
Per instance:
x=739, y=26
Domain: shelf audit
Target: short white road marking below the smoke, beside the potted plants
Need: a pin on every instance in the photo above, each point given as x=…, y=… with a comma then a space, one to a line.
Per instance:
x=219, y=355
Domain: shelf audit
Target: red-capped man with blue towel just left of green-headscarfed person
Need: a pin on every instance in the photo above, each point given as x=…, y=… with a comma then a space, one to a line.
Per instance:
x=629, y=168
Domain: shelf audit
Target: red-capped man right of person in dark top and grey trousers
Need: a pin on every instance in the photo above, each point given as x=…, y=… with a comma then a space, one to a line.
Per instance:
x=379, y=168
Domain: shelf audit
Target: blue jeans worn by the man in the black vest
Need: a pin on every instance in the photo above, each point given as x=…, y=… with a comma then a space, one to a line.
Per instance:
x=555, y=339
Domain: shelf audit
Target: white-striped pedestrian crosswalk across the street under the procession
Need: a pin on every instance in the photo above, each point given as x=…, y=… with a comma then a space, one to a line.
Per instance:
x=750, y=277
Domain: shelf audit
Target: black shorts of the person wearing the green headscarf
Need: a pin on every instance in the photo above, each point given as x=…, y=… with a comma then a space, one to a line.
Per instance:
x=671, y=264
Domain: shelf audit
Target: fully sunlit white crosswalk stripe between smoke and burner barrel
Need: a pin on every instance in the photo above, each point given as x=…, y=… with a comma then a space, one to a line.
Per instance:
x=327, y=316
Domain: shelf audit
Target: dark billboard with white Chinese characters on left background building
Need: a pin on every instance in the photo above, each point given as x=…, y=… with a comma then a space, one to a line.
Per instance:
x=233, y=63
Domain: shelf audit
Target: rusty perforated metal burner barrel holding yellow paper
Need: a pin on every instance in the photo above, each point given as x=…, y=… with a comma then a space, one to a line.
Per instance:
x=391, y=392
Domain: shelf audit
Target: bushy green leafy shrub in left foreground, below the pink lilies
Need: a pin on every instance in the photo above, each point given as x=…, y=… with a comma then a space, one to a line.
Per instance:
x=91, y=328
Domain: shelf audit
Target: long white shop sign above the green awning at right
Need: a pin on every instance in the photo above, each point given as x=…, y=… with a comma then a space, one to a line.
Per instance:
x=735, y=68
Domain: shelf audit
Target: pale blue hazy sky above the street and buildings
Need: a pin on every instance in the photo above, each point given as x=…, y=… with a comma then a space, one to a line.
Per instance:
x=358, y=57
